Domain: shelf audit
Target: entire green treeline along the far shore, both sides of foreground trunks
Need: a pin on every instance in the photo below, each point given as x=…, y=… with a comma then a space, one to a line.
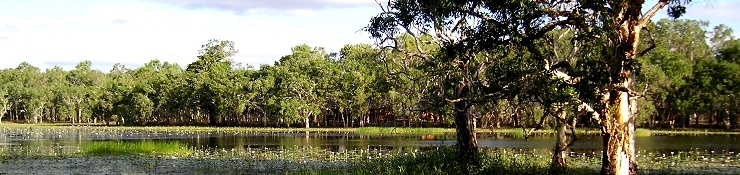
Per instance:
x=686, y=82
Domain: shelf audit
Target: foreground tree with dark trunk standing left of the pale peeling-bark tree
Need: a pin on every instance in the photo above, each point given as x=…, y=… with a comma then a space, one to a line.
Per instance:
x=459, y=79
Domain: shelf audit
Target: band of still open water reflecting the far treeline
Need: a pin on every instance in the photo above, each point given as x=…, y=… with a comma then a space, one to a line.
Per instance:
x=349, y=141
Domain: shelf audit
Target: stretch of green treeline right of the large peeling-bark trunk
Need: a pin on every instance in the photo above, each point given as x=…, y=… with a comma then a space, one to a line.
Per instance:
x=691, y=78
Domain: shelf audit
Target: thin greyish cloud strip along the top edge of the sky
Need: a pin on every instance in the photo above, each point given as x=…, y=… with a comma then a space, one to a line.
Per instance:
x=240, y=6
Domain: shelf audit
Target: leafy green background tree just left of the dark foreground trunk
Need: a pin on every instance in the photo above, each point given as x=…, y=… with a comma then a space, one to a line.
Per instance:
x=402, y=81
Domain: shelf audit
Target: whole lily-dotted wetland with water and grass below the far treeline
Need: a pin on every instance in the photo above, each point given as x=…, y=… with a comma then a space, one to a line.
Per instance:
x=177, y=150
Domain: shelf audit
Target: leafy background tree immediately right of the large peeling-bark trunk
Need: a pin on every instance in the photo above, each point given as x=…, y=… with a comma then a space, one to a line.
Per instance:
x=665, y=70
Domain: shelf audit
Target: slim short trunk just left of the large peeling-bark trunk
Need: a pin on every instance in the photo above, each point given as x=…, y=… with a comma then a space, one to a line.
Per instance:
x=558, y=158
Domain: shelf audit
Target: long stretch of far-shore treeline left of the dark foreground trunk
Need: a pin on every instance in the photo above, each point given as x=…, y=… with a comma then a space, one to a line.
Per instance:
x=308, y=87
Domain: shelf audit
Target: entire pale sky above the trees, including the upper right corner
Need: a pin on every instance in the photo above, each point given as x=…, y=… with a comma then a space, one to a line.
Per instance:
x=132, y=32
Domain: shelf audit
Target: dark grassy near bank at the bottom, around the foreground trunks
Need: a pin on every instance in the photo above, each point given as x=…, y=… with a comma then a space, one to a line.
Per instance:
x=445, y=161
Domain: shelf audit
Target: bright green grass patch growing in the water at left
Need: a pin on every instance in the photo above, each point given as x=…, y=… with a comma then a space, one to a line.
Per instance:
x=98, y=148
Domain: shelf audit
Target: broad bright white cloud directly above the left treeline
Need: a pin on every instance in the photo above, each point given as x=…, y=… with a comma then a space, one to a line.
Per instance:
x=134, y=33
